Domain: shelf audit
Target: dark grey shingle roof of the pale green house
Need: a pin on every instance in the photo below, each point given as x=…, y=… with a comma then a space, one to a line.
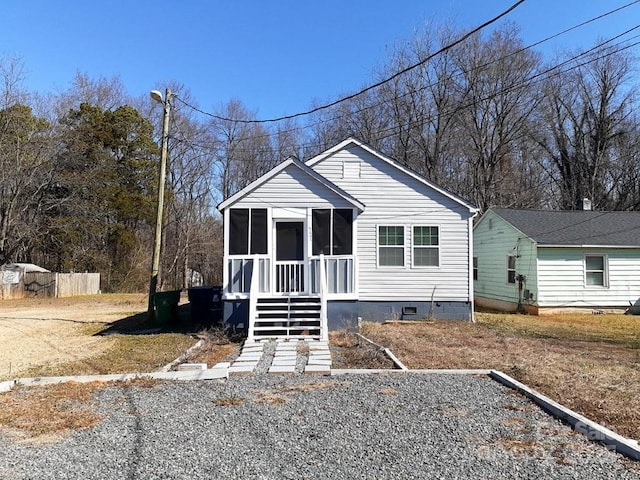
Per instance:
x=576, y=227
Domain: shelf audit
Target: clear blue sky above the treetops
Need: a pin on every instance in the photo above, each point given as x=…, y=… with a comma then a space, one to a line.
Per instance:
x=276, y=56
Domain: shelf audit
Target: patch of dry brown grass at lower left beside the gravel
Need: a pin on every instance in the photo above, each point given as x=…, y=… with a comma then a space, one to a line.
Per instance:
x=49, y=410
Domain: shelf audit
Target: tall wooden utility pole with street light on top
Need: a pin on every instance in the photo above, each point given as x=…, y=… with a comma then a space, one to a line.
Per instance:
x=157, y=245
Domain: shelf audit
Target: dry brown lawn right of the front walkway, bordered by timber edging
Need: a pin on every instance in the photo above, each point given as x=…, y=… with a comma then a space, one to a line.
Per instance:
x=589, y=363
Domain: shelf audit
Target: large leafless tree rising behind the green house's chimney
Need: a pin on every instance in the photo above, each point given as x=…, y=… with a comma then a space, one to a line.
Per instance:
x=586, y=115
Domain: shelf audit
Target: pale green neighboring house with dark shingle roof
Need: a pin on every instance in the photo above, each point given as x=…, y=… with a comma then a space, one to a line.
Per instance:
x=541, y=261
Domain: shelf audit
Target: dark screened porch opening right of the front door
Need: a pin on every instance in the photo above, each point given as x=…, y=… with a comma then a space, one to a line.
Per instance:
x=332, y=231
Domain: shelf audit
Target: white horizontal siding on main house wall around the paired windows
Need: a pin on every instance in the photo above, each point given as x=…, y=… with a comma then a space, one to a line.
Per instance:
x=392, y=197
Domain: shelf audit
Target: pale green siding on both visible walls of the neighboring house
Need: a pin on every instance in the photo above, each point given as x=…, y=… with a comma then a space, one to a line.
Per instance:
x=555, y=276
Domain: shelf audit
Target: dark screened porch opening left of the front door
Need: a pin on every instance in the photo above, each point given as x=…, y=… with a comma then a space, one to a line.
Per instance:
x=247, y=231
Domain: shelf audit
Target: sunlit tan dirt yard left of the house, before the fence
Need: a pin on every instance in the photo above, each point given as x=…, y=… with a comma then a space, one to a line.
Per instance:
x=62, y=336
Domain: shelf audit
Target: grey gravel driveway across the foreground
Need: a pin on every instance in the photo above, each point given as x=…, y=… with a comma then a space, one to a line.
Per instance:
x=396, y=426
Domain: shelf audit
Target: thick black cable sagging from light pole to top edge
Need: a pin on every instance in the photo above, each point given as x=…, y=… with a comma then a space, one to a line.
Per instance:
x=370, y=87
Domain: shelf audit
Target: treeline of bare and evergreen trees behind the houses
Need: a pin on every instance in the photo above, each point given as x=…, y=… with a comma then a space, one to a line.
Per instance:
x=490, y=120
